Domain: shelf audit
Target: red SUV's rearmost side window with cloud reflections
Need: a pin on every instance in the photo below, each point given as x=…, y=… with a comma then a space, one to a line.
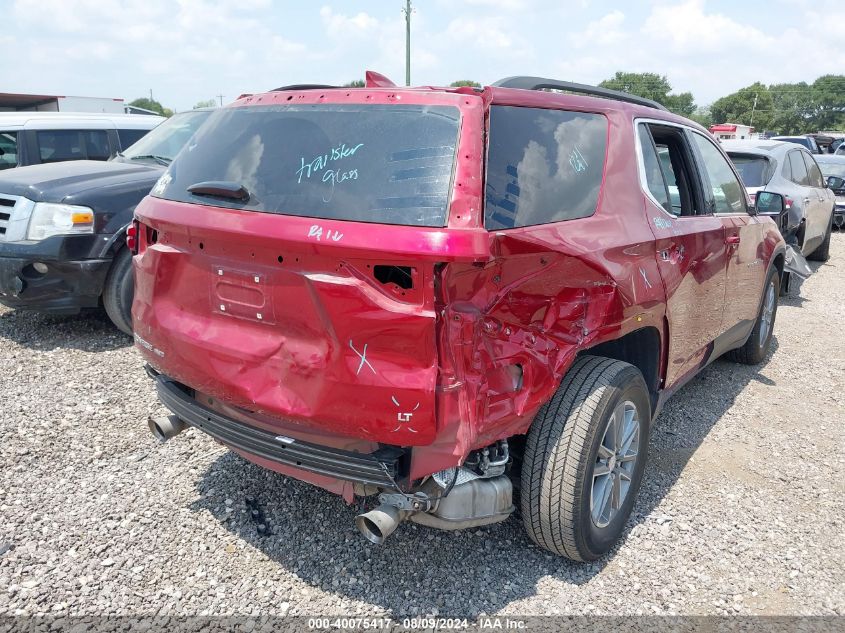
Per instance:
x=543, y=166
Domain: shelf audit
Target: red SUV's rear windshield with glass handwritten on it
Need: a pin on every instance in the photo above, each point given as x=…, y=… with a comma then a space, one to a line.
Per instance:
x=367, y=163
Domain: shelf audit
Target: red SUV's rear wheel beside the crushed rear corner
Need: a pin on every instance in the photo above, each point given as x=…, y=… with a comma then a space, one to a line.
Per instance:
x=584, y=459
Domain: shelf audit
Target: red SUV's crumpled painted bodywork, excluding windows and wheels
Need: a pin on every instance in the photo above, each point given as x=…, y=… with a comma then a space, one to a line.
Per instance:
x=300, y=327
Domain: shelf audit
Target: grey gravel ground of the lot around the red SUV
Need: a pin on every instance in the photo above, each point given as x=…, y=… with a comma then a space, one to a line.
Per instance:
x=741, y=510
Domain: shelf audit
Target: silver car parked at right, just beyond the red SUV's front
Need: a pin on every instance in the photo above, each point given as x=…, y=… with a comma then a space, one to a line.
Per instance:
x=790, y=170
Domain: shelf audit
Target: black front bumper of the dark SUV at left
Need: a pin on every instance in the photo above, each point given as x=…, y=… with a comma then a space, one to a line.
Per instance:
x=65, y=288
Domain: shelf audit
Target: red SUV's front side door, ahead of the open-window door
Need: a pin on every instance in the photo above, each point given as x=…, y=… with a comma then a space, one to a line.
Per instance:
x=746, y=267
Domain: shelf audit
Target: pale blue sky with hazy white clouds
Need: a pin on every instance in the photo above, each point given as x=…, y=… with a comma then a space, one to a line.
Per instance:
x=187, y=51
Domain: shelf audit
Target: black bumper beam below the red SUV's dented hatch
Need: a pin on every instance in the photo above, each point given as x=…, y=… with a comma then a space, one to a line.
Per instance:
x=380, y=468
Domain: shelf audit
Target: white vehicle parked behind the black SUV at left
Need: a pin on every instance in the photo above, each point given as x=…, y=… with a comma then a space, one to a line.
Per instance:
x=34, y=138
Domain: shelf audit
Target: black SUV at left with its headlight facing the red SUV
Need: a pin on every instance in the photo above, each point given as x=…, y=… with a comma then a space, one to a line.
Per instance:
x=62, y=225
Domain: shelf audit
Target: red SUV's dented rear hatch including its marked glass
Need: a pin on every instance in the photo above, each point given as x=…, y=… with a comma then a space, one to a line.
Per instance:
x=289, y=261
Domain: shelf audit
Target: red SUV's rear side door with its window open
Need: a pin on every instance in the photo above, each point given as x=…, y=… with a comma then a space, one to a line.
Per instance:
x=690, y=244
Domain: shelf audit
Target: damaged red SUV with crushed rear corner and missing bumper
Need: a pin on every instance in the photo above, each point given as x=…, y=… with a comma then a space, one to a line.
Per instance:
x=437, y=297
